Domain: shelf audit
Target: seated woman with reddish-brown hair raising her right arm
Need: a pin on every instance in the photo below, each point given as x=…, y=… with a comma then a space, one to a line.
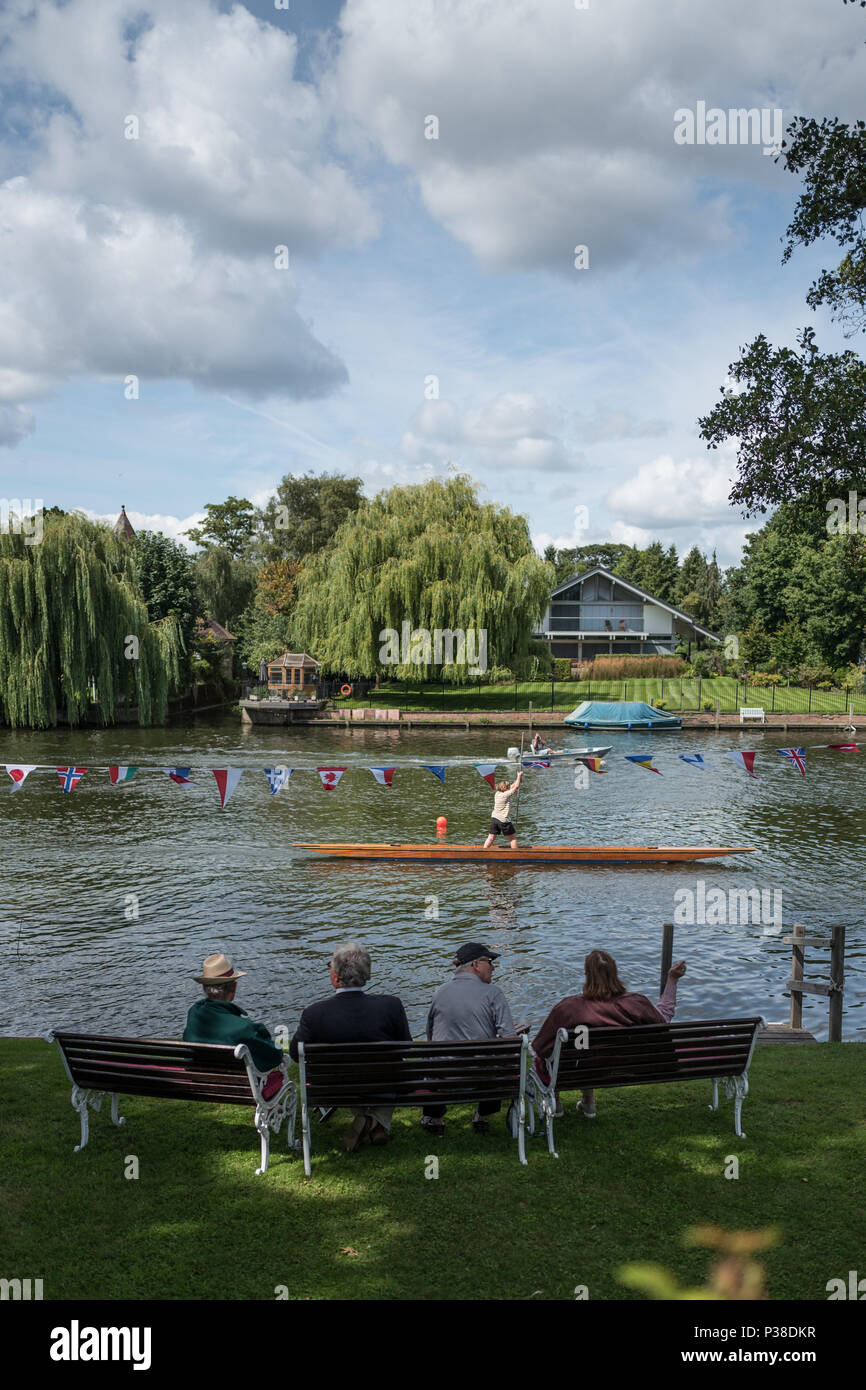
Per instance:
x=605, y=1003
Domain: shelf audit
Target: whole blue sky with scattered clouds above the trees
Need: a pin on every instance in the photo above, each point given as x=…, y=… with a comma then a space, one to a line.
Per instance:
x=245, y=241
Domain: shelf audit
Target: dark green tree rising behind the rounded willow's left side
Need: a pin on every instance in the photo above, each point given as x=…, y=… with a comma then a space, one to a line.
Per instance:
x=307, y=514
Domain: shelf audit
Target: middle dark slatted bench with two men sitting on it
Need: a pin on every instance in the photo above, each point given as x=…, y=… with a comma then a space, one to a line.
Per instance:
x=337, y=1075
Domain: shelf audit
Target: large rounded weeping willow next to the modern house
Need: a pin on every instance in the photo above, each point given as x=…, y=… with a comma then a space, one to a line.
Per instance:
x=414, y=562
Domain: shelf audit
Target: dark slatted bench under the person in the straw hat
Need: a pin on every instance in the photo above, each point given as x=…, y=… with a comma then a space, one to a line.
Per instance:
x=99, y=1065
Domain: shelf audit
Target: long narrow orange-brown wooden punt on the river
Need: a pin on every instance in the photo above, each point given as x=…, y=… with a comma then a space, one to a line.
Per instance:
x=529, y=854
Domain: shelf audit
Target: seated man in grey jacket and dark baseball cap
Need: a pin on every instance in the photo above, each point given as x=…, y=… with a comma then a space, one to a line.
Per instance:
x=465, y=1010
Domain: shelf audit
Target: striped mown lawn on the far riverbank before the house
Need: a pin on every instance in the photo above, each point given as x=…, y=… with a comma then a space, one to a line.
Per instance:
x=680, y=693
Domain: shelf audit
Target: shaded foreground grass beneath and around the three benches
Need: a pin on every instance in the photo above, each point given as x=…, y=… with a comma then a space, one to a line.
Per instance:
x=198, y=1224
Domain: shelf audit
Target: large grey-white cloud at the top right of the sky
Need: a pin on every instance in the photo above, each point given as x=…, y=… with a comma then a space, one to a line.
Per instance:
x=557, y=124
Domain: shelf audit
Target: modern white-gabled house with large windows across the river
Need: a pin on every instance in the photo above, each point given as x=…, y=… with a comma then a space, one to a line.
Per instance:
x=598, y=614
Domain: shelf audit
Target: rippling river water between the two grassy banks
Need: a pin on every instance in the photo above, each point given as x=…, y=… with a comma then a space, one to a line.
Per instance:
x=113, y=896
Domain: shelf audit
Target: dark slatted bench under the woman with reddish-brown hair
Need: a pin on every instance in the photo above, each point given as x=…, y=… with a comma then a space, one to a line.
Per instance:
x=647, y=1054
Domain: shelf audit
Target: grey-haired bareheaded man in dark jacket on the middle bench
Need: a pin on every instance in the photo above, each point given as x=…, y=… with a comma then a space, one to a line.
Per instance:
x=354, y=1017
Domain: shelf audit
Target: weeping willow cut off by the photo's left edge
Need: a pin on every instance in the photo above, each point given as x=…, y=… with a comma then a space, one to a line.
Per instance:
x=74, y=630
